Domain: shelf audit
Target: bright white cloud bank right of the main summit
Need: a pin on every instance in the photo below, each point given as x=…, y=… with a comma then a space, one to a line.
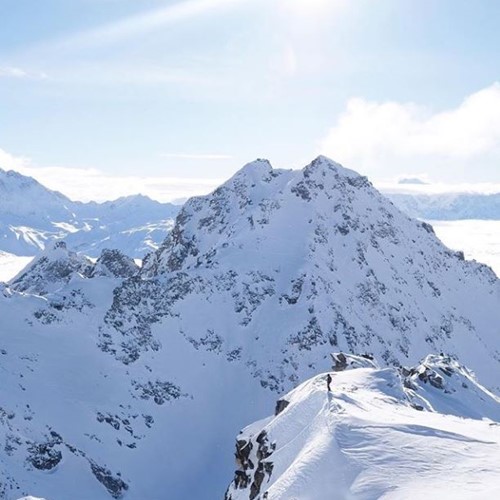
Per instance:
x=391, y=138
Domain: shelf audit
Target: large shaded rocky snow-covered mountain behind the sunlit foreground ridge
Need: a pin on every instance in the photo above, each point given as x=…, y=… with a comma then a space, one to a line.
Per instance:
x=248, y=295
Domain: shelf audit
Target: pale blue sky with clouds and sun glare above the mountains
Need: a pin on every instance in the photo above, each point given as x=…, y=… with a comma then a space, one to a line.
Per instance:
x=189, y=90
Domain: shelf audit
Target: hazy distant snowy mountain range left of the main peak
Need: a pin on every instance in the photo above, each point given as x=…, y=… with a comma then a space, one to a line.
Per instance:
x=32, y=217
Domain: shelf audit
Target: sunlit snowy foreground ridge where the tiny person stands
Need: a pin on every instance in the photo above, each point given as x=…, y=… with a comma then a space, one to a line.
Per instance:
x=365, y=439
